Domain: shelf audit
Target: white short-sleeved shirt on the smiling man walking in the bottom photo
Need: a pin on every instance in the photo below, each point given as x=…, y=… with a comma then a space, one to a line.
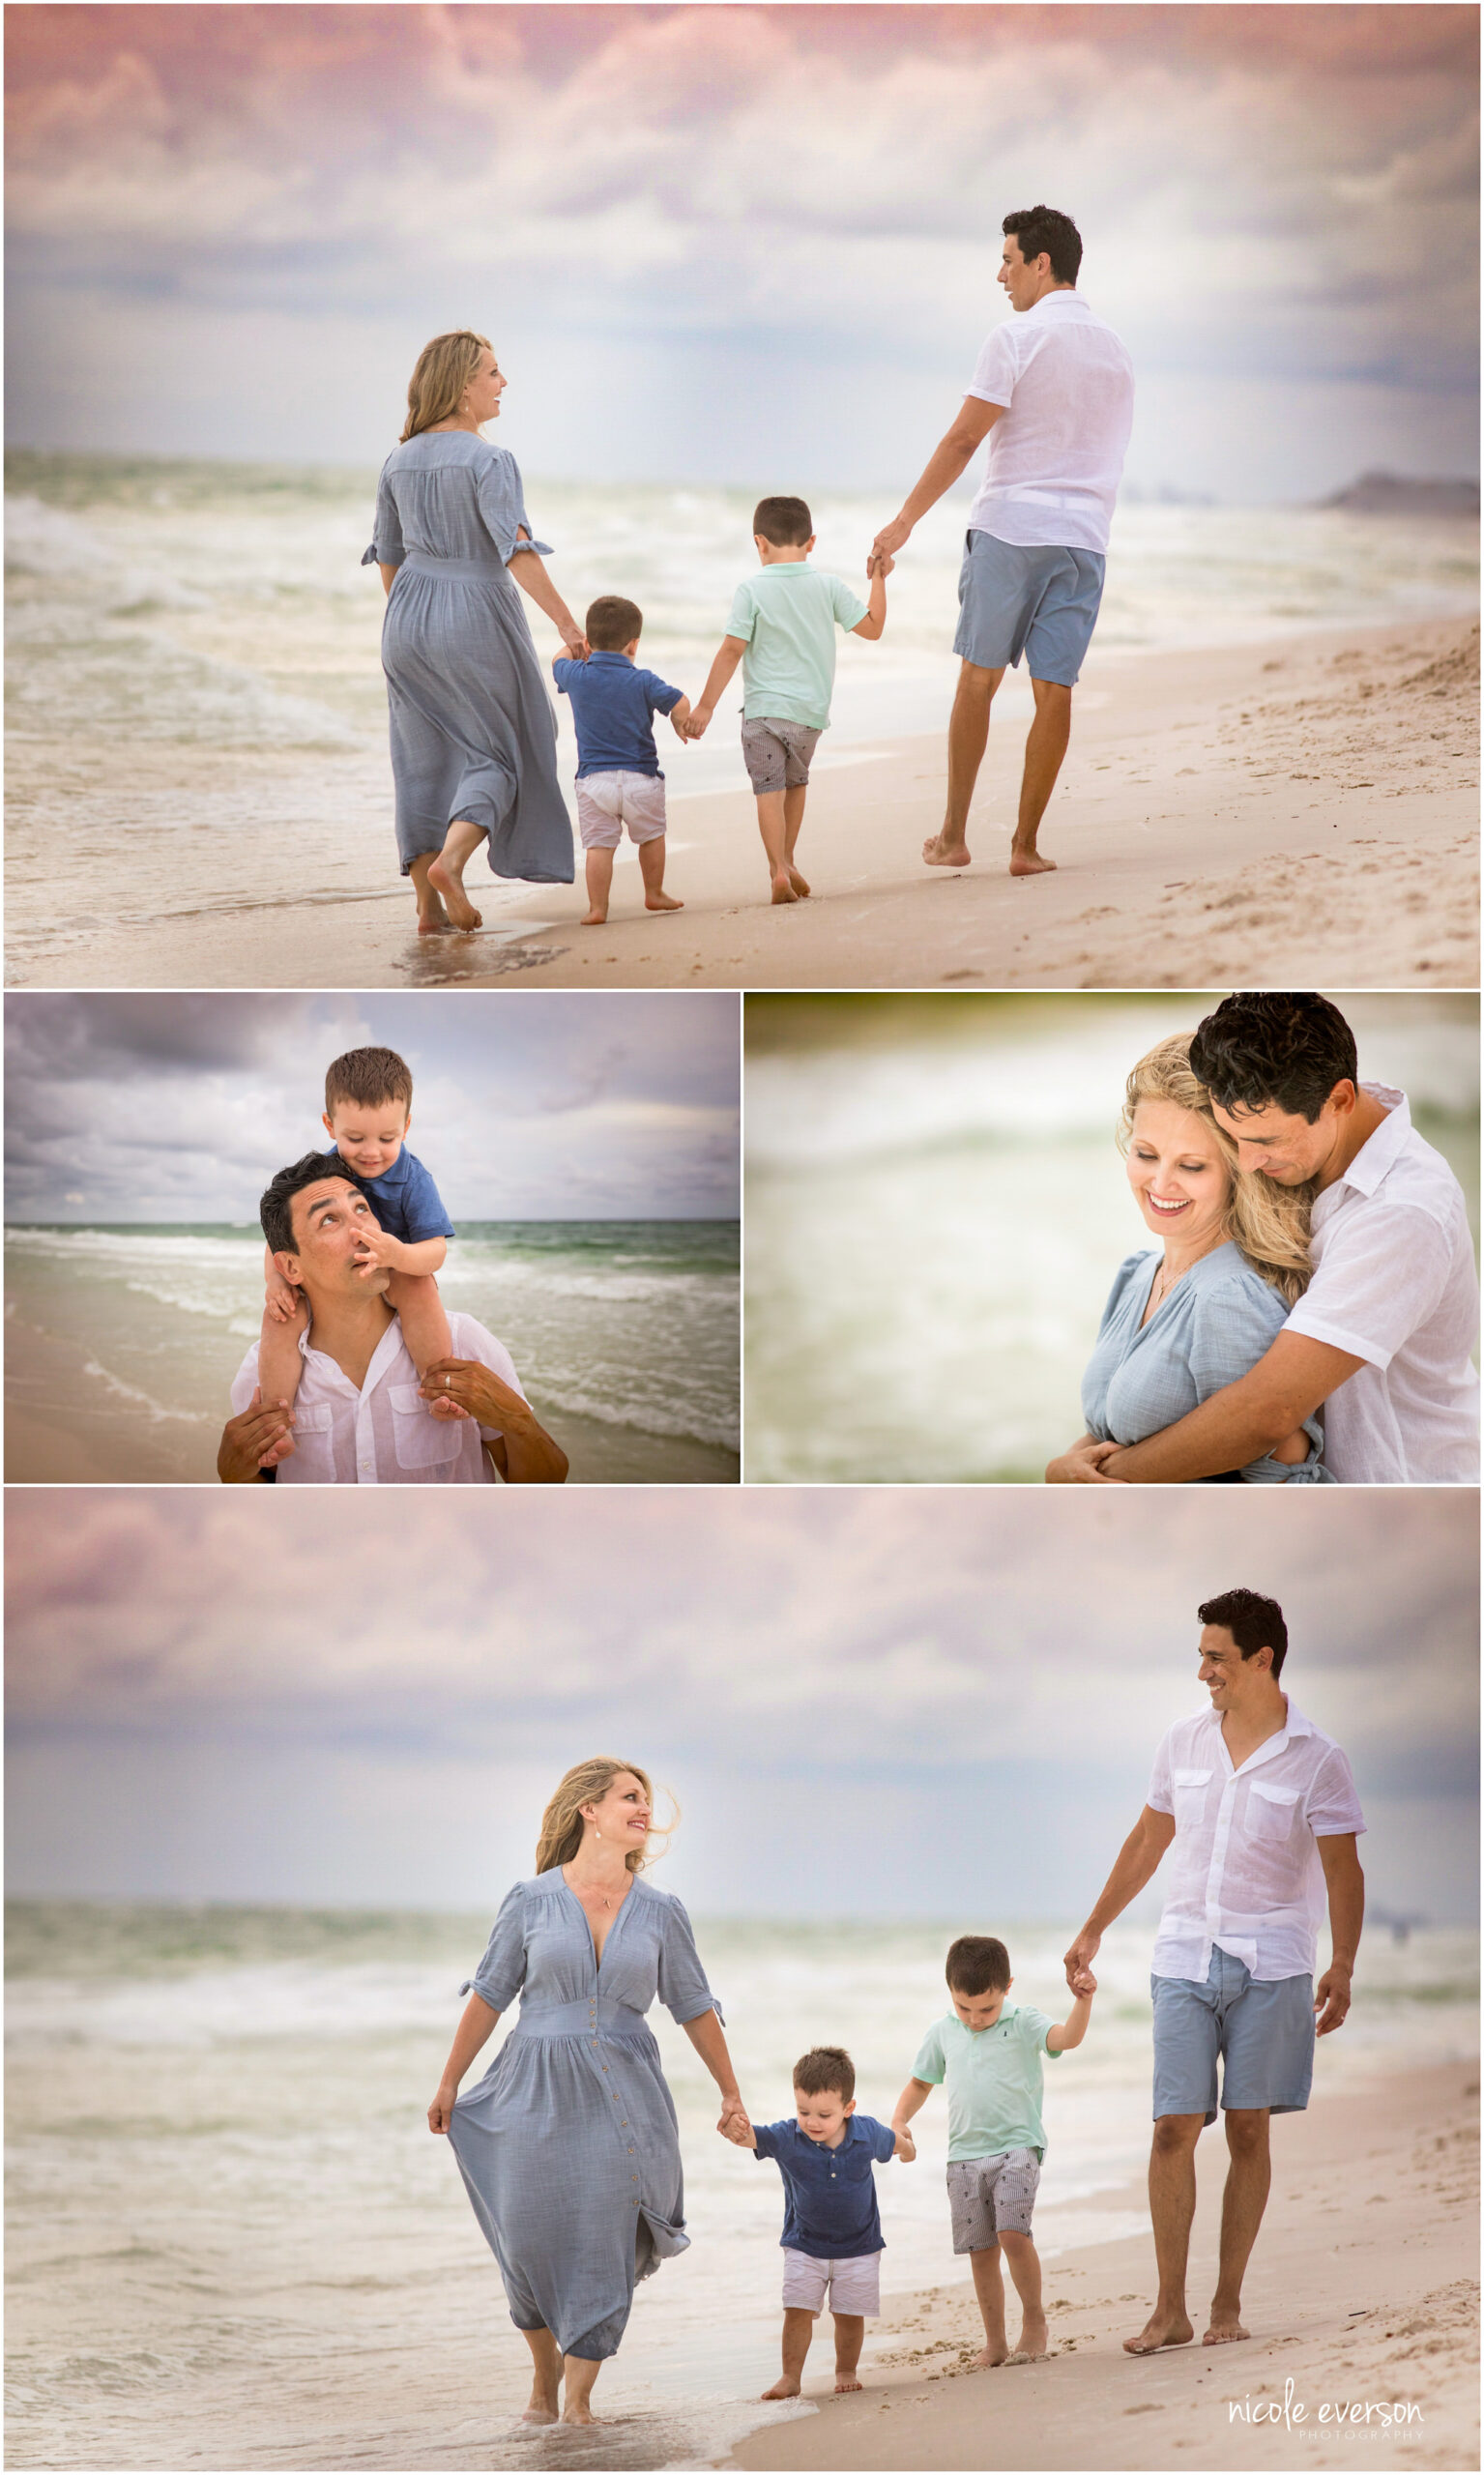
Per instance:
x=1245, y=1860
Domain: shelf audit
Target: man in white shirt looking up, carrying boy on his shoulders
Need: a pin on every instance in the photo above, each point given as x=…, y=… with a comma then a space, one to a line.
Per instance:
x=360, y=1414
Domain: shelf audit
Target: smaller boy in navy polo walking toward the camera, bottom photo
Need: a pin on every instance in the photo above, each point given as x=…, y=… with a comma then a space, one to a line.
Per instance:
x=832, y=2226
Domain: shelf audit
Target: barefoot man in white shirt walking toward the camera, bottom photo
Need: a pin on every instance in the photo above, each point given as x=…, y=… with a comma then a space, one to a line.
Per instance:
x=1263, y=1815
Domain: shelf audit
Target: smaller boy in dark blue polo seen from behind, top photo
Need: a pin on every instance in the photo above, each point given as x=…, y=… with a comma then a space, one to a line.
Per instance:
x=620, y=778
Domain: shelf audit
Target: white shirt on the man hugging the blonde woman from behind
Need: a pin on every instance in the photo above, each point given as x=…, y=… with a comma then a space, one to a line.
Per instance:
x=1394, y=1283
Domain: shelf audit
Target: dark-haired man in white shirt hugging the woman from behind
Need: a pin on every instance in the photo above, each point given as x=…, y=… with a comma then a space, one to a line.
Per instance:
x=1384, y=1333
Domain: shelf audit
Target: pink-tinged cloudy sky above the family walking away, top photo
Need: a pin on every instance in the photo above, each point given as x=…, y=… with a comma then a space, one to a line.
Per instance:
x=716, y=241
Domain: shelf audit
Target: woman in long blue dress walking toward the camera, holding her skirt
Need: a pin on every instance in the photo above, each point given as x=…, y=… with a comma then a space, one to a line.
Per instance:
x=570, y=2147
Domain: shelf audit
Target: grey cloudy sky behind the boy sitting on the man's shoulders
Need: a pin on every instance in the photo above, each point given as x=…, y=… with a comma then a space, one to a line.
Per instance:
x=526, y=1105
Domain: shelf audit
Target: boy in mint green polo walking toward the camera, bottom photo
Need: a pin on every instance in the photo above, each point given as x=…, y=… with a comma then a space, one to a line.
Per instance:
x=988, y=2053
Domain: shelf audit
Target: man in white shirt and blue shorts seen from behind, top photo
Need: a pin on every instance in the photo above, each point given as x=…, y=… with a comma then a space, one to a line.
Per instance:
x=1055, y=397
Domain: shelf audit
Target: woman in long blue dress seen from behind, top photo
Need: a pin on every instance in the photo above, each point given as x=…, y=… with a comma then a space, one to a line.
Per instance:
x=474, y=741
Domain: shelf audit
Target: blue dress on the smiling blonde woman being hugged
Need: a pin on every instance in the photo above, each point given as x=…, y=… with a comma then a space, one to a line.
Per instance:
x=1213, y=1328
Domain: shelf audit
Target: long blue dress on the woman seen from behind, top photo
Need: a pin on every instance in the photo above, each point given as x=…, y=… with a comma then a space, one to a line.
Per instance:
x=471, y=724
